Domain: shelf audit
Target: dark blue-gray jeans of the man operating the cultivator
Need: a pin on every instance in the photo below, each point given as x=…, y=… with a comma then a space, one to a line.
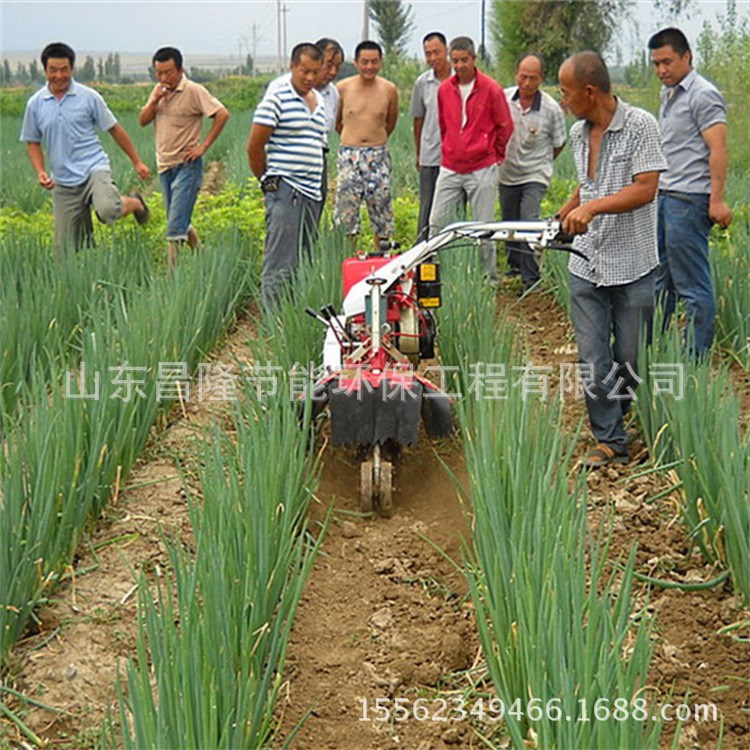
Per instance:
x=608, y=321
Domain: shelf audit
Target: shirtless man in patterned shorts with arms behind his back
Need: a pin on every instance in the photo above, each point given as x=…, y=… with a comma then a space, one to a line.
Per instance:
x=368, y=109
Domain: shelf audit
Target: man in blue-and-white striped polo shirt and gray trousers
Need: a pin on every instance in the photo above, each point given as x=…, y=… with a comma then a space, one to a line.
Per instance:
x=285, y=151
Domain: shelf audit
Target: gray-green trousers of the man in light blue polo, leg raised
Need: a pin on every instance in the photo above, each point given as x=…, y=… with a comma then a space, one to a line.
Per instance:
x=72, y=209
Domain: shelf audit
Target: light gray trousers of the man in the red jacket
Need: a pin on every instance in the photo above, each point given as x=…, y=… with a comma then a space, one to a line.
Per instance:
x=479, y=188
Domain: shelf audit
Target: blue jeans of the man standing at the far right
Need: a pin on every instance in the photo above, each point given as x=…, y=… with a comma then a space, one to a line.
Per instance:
x=684, y=269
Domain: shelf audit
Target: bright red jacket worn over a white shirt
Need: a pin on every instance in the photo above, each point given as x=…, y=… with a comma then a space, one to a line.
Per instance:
x=489, y=124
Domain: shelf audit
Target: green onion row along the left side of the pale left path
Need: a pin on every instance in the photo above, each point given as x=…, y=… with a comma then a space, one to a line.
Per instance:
x=58, y=464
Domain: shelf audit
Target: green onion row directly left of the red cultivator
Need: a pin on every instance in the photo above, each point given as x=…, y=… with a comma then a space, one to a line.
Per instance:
x=211, y=648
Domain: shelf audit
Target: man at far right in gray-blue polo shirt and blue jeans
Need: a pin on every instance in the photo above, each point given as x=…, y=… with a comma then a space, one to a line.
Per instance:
x=693, y=120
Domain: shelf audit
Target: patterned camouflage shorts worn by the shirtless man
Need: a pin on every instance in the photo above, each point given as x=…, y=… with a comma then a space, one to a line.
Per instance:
x=364, y=173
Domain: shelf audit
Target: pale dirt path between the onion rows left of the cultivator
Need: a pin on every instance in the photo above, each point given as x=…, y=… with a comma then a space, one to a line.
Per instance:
x=89, y=628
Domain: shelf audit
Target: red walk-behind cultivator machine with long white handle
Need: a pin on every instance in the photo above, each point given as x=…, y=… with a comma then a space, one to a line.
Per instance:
x=373, y=347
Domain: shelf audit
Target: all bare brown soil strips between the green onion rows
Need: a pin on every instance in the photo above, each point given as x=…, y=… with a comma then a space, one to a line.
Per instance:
x=384, y=613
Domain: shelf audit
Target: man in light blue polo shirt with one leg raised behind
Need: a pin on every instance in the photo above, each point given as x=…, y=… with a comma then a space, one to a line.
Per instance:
x=64, y=116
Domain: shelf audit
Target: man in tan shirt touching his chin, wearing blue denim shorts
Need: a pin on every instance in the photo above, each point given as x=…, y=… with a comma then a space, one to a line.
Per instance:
x=177, y=107
